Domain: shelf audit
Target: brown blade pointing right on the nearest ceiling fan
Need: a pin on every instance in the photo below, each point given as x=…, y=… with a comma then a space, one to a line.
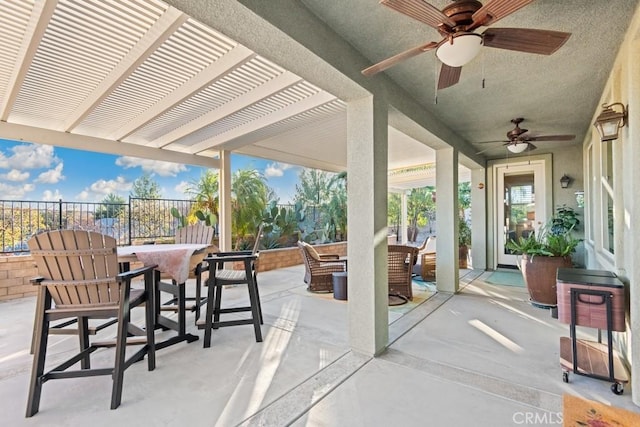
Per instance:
x=543, y=42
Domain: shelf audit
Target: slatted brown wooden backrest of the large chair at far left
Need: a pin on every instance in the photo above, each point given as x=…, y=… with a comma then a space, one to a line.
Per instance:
x=79, y=268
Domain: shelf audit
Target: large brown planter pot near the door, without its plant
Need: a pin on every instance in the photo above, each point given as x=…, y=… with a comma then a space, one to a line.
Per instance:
x=539, y=274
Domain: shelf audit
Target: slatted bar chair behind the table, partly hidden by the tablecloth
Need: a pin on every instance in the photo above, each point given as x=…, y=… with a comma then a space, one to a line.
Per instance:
x=195, y=234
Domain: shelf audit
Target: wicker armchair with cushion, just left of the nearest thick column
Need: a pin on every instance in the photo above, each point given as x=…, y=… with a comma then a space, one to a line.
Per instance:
x=319, y=268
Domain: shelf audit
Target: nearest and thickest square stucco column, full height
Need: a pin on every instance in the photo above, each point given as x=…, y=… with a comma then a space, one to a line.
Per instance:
x=367, y=219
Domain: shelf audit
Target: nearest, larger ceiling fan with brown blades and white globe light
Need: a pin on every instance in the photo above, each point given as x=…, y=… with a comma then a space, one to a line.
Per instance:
x=460, y=44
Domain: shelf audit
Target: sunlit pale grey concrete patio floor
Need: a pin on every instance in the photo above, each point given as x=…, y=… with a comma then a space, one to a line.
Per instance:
x=483, y=357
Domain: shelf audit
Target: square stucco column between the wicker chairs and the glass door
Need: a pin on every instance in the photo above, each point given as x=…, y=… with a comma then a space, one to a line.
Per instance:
x=447, y=267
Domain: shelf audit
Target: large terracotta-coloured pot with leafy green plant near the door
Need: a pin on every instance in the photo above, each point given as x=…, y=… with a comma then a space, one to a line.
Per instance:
x=543, y=253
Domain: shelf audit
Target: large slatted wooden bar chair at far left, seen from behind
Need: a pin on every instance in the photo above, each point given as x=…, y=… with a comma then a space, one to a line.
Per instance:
x=79, y=274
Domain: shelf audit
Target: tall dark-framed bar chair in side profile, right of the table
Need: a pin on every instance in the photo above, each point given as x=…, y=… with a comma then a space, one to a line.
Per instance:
x=232, y=268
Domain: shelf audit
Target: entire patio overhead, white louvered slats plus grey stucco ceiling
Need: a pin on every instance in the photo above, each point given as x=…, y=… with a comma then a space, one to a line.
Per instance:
x=180, y=80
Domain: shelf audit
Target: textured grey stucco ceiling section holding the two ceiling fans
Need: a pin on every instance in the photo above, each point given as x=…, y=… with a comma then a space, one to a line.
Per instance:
x=556, y=94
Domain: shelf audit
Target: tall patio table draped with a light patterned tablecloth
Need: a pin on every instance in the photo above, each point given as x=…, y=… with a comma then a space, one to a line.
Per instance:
x=173, y=260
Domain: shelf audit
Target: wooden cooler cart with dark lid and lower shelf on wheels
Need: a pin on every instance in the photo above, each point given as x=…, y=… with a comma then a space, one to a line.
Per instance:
x=595, y=299
